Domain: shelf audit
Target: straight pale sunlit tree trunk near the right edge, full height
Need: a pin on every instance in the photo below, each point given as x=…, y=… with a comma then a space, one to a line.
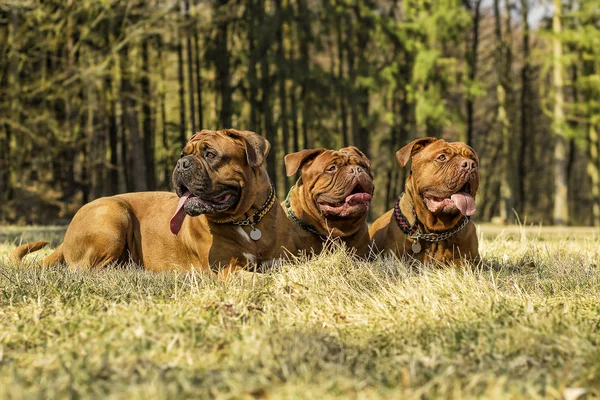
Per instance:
x=560, y=213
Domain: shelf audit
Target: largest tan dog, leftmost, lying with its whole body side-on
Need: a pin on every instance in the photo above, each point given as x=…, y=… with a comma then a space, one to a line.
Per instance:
x=221, y=182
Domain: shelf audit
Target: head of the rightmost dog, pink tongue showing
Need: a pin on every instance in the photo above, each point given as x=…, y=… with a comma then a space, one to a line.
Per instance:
x=444, y=176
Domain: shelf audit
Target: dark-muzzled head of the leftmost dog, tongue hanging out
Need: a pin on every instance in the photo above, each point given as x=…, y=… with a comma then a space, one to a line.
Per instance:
x=216, y=173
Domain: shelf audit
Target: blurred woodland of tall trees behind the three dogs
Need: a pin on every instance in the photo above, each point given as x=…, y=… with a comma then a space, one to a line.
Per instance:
x=97, y=97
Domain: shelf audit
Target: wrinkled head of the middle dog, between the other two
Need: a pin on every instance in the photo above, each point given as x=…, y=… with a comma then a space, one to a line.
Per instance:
x=337, y=186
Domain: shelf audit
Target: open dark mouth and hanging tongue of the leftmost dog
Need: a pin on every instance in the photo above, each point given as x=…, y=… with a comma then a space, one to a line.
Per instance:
x=193, y=205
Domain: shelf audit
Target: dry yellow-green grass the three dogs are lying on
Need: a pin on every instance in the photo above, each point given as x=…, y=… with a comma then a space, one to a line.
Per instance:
x=524, y=324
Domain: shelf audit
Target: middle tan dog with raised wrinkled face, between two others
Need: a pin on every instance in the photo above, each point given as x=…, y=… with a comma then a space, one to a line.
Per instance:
x=331, y=198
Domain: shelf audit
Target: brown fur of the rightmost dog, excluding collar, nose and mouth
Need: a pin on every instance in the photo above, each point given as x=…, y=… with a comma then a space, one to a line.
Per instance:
x=428, y=174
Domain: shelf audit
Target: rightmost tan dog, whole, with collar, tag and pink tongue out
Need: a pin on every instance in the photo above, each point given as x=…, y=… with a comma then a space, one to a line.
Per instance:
x=430, y=221
